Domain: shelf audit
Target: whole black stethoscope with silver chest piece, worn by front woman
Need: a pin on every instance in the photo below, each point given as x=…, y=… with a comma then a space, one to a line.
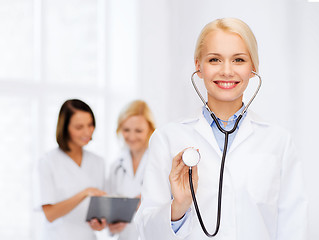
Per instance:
x=191, y=157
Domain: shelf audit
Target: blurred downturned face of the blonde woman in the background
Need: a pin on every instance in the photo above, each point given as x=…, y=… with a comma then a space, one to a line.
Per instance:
x=135, y=131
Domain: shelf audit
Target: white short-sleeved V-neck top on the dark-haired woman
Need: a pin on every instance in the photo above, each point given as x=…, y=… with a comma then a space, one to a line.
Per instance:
x=58, y=178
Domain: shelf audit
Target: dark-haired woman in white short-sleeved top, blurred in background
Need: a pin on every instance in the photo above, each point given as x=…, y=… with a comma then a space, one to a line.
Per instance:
x=67, y=175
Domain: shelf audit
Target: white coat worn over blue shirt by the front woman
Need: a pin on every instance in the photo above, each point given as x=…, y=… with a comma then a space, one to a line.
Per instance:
x=263, y=195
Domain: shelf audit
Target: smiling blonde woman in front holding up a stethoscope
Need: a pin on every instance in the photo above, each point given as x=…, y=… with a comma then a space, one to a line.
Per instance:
x=263, y=194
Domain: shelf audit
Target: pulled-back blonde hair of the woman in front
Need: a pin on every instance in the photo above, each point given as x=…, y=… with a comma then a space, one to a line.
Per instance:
x=232, y=25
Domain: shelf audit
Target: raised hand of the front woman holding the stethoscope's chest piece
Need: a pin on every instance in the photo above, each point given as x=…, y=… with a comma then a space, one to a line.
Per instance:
x=179, y=180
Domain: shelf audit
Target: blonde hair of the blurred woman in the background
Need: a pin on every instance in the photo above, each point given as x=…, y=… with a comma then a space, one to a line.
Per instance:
x=136, y=108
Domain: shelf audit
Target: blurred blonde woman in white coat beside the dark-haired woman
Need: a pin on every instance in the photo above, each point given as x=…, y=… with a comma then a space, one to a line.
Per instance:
x=135, y=126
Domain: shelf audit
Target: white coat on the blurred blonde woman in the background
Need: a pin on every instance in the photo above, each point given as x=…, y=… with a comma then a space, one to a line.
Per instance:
x=123, y=182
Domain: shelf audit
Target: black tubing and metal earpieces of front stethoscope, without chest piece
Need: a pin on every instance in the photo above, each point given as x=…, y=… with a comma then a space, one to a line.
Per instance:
x=222, y=166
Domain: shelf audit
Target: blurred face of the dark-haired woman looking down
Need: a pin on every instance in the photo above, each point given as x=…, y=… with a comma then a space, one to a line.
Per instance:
x=80, y=129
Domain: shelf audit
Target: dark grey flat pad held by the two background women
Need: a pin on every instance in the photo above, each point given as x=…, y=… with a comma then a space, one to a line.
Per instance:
x=113, y=209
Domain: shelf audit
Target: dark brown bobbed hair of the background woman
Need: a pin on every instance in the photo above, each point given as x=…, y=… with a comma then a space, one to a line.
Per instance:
x=67, y=110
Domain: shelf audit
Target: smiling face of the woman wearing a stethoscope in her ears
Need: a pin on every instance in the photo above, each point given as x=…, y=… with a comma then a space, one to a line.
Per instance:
x=225, y=66
